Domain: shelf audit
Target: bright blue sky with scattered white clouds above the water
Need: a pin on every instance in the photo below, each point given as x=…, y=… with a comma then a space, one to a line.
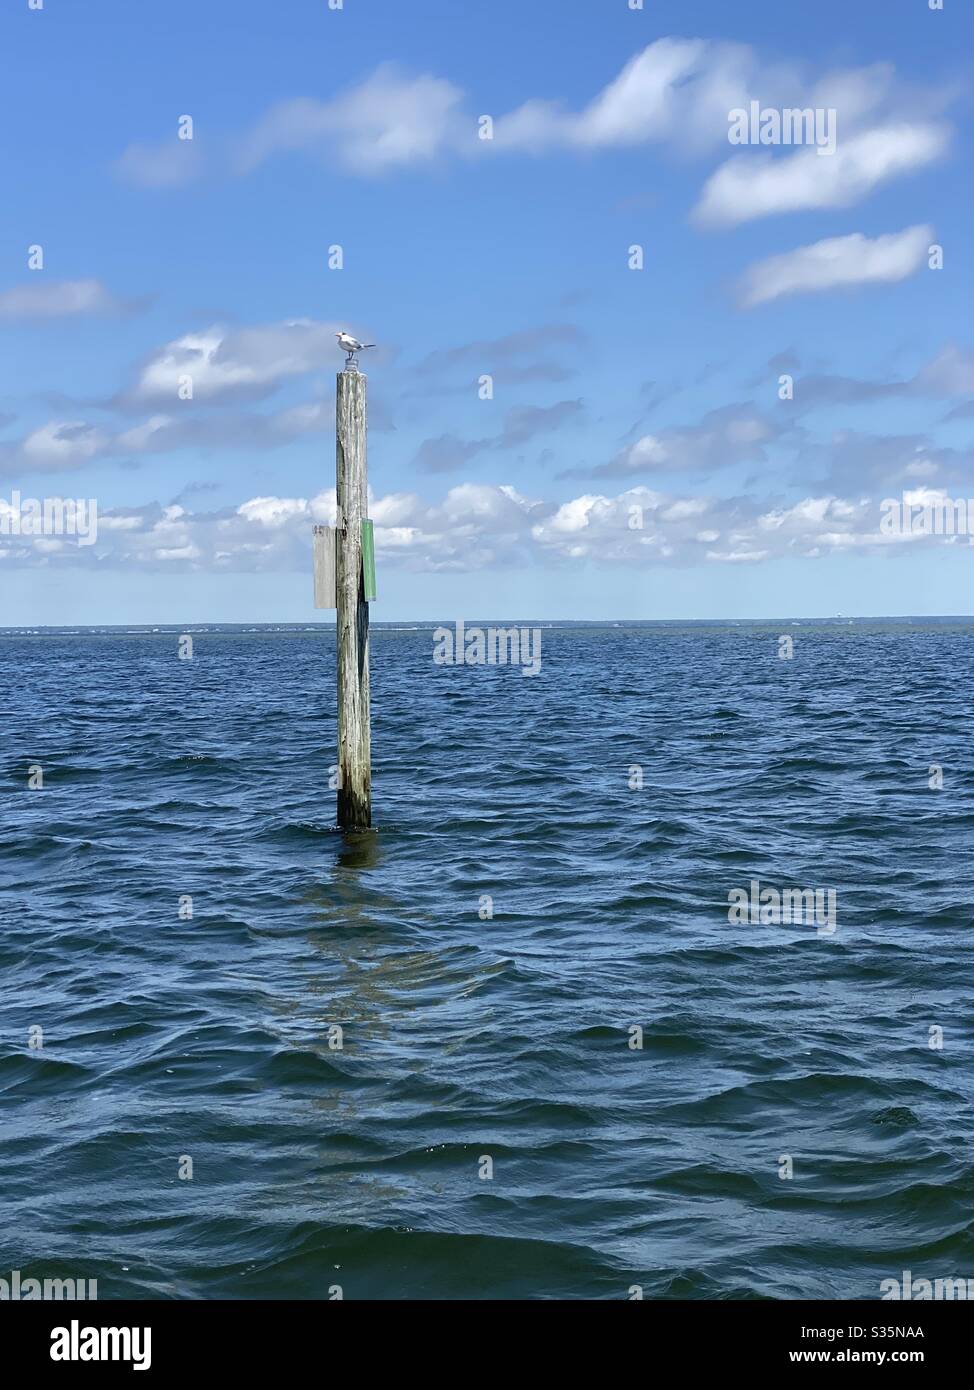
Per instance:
x=636, y=458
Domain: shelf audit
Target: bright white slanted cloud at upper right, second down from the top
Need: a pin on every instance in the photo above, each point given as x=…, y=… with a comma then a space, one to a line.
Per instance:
x=757, y=186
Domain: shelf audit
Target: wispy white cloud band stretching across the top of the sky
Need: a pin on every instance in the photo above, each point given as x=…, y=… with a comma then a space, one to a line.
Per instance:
x=676, y=91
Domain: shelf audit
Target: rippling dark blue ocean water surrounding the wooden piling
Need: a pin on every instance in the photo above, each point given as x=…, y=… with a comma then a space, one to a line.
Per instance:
x=480, y=1045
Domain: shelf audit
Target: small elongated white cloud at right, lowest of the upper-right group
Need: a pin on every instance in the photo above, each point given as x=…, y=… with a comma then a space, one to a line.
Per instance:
x=837, y=263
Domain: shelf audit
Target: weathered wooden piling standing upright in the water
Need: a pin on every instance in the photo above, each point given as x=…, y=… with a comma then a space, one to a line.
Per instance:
x=355, y=743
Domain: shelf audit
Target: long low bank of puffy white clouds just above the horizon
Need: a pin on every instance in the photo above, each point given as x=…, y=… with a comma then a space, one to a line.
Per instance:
x=479, y=528
